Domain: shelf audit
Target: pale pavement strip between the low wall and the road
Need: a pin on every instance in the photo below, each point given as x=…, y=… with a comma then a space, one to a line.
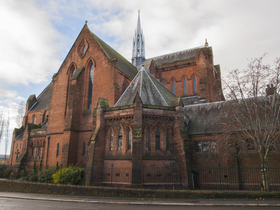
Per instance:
x=258, y=202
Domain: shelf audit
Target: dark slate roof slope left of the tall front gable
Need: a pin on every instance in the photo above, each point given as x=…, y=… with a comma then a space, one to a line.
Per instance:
x=43, y=99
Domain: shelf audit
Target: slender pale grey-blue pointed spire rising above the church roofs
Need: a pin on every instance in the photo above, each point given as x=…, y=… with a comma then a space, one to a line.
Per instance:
x=138, y=51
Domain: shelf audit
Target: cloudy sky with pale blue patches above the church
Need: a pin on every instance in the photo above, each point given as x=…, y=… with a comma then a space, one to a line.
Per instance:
x=36, y=35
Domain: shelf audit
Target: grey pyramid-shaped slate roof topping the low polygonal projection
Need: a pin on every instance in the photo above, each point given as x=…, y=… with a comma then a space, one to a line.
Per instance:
x=150, y=90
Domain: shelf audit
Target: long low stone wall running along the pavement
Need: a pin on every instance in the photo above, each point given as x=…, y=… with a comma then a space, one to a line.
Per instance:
x=33, y=187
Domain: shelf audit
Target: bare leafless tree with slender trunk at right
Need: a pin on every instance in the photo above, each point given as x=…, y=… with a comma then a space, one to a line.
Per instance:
x=253, y=109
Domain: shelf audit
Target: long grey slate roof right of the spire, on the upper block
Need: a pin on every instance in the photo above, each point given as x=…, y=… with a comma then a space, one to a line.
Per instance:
x=170, y=58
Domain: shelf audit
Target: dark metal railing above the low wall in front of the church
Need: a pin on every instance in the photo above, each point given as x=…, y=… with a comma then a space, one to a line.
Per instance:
x=210, y=178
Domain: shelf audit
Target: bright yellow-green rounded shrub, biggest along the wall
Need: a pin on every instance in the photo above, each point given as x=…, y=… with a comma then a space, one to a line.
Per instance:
x=70, y=175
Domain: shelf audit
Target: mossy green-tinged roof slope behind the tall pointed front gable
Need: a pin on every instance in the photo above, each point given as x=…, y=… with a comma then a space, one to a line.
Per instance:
x=123, y=65
